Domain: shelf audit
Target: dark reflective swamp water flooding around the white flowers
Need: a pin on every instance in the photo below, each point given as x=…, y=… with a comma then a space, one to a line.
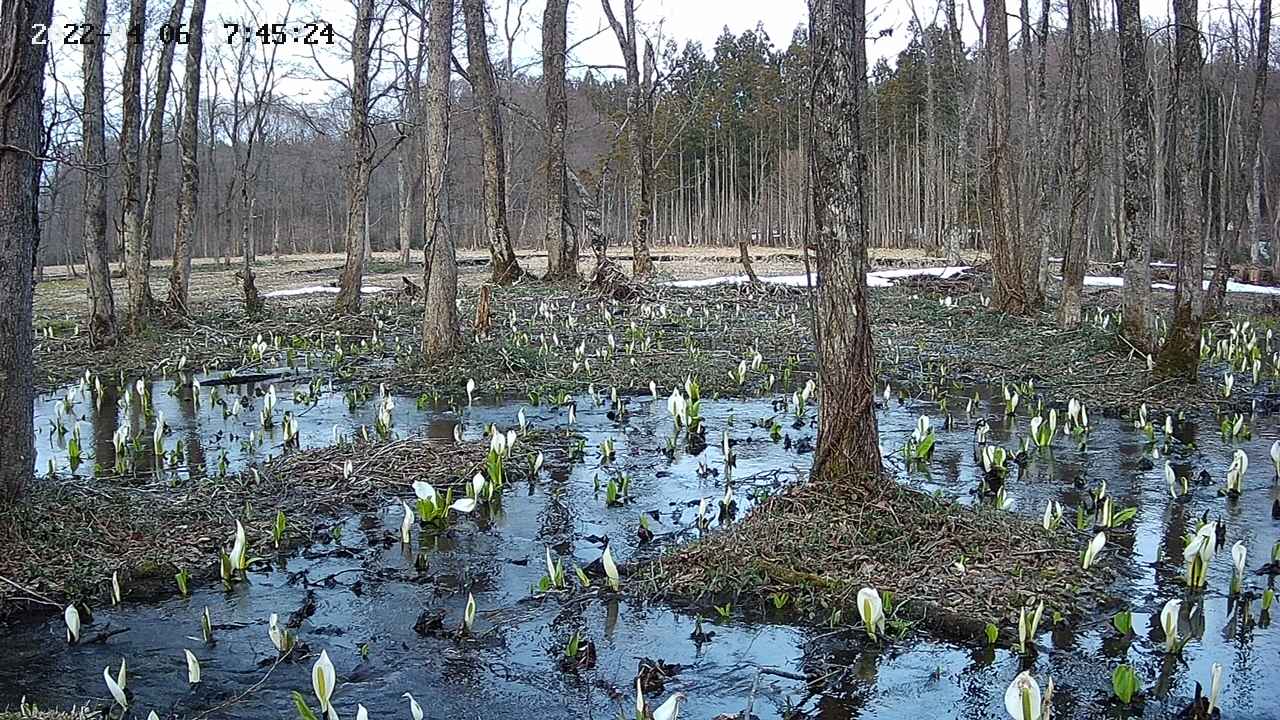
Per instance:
x=368, y=593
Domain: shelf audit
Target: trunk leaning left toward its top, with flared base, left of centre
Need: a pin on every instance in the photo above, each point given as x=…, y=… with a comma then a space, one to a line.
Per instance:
x=506, y=268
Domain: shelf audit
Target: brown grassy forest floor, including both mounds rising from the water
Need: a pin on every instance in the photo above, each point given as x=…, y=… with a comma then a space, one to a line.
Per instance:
x=531, y=350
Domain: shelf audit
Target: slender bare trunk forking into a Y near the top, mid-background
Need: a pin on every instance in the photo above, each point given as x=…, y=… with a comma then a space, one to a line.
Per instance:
x=639, y=131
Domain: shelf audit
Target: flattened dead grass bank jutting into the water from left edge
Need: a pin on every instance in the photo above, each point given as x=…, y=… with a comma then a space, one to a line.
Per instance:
x=68, y=535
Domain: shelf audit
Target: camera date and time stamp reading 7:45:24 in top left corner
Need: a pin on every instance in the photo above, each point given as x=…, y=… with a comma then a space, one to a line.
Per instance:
x=272, y=34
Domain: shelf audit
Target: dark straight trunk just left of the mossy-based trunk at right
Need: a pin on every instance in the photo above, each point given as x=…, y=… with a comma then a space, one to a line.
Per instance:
x=1136, y=152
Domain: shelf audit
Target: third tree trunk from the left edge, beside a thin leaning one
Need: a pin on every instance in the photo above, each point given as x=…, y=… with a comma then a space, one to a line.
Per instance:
x=136, y=261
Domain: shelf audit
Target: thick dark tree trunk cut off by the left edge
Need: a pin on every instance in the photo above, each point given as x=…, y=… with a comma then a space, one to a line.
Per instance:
x=22, y=83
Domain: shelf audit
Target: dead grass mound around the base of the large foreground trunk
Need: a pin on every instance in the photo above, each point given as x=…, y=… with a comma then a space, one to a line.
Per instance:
x=820, y=545
